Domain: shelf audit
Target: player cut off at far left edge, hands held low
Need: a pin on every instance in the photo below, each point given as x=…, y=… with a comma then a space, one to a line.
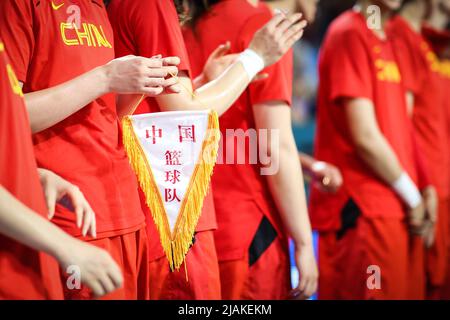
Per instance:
x=26, y=273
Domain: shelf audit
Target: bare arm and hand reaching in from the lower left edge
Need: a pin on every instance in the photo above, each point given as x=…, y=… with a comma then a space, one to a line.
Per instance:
x=17, y=221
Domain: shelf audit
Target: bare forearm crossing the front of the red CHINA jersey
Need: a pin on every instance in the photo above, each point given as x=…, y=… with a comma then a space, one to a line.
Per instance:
x=50, y=106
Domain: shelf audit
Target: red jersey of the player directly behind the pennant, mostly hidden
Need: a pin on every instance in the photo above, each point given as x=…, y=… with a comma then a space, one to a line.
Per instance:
x=148, y=28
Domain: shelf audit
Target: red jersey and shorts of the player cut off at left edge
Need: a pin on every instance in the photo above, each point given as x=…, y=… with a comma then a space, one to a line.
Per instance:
x=25, y=273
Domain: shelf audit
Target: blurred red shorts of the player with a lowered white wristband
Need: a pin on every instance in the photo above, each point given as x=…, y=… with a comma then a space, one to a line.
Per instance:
x=369, y=261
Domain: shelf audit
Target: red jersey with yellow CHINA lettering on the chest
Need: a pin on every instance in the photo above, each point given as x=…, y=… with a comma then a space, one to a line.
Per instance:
x=52, y=42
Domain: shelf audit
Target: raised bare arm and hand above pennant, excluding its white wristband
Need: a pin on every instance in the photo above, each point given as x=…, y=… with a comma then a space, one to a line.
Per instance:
x=270, y=43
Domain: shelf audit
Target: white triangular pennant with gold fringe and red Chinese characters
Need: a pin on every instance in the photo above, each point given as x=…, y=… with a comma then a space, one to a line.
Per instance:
x=173, y=155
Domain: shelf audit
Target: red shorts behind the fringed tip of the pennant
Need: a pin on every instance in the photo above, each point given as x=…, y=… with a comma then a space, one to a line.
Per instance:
x=202, y=281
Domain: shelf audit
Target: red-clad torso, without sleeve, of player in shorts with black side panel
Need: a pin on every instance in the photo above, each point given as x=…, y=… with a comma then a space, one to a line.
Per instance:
x=241, y=193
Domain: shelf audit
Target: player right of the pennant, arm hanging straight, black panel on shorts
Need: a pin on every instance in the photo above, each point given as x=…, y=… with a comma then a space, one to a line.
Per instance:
x=255, y=214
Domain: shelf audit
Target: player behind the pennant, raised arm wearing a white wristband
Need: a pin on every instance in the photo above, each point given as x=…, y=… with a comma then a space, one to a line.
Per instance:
x=152, y=27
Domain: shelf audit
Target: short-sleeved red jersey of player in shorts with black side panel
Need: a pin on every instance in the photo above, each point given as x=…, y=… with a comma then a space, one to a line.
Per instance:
x=241, y=195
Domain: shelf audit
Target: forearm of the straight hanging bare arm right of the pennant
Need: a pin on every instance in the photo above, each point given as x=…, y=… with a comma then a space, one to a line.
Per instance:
x=288, y=191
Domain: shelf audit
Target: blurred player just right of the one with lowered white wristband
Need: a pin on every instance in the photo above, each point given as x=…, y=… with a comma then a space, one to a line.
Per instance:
x=420, y=68
